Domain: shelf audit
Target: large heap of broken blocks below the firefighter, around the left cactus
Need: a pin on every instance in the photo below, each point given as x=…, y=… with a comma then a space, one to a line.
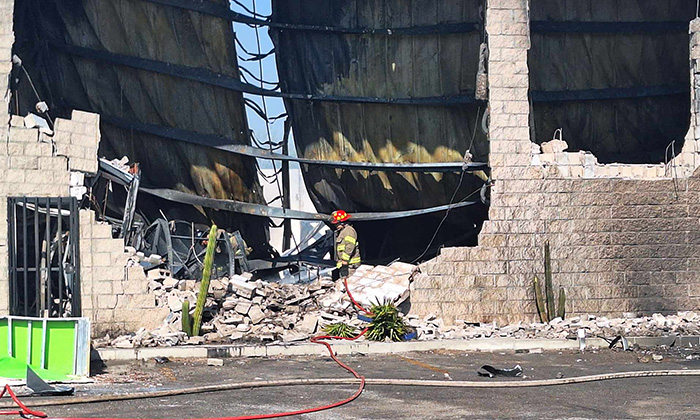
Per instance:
x=240, y=309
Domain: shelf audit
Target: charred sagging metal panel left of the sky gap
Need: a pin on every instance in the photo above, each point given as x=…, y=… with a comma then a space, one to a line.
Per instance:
x=48, y=32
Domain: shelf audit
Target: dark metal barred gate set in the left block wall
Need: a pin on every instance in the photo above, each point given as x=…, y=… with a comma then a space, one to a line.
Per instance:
x=44, y=256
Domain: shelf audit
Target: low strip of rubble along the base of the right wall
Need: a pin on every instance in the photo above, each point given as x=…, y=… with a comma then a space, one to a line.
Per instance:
x=683, y=323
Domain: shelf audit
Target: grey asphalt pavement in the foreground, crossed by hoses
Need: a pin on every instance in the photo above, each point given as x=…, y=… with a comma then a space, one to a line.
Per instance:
x=648, y=398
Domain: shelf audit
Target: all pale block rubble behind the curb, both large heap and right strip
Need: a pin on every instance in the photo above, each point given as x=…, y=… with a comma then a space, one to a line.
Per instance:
x=240, y=309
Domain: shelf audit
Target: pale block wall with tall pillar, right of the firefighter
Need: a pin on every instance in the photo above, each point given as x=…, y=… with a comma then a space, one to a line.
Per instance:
x=623, y=237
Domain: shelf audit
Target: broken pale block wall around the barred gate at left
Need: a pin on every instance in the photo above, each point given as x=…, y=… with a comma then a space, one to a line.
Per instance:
x=113, y=296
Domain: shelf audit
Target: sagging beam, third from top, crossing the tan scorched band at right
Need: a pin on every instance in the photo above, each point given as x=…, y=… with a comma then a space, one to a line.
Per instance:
x=226, y=144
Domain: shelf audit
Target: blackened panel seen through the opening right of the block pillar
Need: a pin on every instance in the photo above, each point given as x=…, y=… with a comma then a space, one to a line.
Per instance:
x=614, y=75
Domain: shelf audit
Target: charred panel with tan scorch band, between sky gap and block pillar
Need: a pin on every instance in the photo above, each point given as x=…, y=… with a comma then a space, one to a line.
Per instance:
x=425, y=52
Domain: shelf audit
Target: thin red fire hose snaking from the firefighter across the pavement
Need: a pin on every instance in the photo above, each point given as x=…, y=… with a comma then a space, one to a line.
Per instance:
x=24, y=411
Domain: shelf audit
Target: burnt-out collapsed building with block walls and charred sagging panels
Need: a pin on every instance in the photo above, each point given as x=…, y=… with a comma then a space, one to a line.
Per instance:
x=472, y=131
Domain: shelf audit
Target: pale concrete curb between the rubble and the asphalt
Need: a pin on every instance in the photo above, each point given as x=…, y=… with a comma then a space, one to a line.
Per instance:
x=365, y=347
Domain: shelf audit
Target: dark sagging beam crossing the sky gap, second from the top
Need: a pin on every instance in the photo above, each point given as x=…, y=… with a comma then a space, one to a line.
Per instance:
x=231, y=83
